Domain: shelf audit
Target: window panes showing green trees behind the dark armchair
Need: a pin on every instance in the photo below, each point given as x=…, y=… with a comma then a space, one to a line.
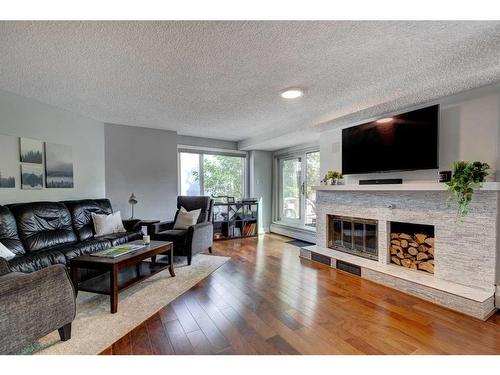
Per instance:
x=211, y=174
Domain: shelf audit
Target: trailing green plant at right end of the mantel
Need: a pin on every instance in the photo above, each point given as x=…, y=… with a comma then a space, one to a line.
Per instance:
x=466, y=176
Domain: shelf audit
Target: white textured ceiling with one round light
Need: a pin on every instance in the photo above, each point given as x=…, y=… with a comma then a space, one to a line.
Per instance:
x=223, y=79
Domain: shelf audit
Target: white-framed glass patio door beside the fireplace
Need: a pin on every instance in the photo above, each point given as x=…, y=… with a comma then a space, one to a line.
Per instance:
x=298, y=173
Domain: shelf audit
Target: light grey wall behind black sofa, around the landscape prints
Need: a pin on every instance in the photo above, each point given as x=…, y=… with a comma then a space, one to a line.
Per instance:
x=29, y=118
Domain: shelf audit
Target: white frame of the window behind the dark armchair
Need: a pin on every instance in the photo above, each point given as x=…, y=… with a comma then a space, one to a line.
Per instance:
x=201, y=151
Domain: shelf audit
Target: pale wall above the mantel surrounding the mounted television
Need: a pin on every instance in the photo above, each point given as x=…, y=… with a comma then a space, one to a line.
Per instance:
x=468, y=130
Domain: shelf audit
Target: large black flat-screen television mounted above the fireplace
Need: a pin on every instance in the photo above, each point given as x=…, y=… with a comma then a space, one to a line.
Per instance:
x=408, y=141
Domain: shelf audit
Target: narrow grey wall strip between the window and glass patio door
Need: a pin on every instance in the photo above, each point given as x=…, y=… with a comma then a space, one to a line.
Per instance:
x=260, y=181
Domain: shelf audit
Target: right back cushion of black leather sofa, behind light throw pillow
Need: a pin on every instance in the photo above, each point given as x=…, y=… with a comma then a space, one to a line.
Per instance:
x=81, y=215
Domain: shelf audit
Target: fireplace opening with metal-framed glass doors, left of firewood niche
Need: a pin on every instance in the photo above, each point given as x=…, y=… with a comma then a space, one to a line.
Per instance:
x=353, y=235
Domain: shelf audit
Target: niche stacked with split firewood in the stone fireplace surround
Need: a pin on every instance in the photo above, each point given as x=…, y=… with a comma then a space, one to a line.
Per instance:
x=412, y=246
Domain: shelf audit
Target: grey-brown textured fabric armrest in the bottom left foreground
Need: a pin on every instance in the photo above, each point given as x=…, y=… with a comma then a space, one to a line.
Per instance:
x=33, y=305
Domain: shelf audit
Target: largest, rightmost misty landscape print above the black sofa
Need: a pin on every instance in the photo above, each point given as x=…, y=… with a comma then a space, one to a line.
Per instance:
x=58, y=166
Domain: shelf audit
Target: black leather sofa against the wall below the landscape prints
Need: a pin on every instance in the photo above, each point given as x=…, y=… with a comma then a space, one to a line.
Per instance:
x=42, y=234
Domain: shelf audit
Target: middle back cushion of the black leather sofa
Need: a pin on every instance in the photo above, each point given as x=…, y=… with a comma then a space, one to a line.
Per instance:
x=43, y=224
